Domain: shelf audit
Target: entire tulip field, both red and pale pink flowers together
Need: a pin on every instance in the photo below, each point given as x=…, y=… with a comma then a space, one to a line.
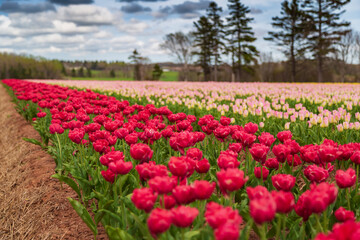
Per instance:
x=160, y=160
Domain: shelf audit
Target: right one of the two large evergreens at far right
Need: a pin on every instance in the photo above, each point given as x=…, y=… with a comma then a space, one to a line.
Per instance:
x=325, y=28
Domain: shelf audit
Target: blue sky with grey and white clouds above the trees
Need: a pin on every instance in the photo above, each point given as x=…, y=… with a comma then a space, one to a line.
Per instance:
x=111, y=29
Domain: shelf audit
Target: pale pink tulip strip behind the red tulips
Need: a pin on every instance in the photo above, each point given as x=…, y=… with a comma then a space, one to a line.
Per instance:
x=322, y=107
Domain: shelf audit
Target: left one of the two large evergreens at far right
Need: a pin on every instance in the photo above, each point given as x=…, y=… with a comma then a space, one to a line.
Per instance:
x=291, y=34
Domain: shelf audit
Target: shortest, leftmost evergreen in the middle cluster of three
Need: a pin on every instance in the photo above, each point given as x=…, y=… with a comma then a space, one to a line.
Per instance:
x=202, y=42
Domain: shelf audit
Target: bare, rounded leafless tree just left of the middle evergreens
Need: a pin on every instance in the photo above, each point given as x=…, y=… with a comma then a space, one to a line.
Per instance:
x=181, y=46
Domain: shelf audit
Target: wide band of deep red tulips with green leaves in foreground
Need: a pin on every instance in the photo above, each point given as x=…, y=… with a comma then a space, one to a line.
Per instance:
x=146, y=172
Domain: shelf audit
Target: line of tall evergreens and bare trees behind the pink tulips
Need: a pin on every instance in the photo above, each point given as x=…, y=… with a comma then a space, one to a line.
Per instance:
x=308, y=32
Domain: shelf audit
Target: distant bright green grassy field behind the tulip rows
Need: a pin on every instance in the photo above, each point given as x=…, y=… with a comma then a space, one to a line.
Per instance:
x=96, y=75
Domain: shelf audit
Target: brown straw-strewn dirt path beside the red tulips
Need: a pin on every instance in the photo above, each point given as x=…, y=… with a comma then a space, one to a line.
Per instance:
x=32, y=205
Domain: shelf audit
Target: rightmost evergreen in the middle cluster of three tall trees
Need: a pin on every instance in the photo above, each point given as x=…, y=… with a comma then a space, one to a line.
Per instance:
x=240, y=37
